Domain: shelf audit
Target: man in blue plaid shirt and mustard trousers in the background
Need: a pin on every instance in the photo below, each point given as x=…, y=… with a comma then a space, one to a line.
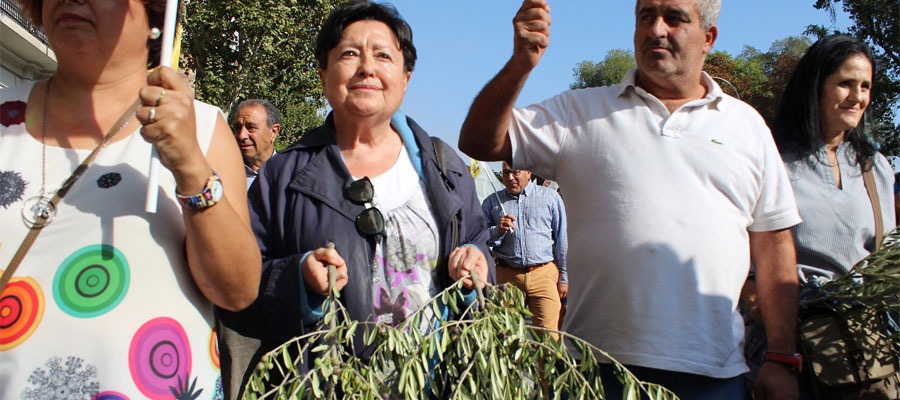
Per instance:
x=528, y=240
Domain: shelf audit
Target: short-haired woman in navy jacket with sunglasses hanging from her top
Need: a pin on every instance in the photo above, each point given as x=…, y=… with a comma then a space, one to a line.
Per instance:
x=367, y=180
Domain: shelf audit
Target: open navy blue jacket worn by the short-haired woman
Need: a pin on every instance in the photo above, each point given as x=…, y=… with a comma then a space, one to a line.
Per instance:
x=298, y=204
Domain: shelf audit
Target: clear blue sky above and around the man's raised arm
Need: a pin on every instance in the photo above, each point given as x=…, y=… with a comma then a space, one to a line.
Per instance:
x=462, y=44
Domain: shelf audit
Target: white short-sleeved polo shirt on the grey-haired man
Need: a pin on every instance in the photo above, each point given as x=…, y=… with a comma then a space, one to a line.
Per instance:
x=659, y=208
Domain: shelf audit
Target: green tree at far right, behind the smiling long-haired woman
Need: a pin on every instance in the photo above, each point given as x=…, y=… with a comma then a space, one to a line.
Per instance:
x=878, y=23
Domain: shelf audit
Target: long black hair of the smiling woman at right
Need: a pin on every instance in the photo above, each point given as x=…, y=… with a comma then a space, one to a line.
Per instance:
x=798, y=123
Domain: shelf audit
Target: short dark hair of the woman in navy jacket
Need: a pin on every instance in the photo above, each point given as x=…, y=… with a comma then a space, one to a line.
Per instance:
x=364, y=10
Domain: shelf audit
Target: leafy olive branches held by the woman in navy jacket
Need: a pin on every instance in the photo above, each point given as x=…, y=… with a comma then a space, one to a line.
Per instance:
x=489, y=353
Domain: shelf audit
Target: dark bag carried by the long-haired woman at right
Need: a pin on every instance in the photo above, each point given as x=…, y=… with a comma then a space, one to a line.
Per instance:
x=847, y=354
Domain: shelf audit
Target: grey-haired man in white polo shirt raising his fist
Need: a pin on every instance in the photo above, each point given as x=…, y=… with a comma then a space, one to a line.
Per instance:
x=672, y=188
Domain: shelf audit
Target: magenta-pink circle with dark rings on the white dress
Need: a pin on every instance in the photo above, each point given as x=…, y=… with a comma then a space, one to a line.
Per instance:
x=159, y=355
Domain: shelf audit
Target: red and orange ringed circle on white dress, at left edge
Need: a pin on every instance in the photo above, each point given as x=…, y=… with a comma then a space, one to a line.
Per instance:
x=21, y=310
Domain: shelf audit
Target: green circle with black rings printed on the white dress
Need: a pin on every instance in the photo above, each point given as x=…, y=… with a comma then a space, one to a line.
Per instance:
x=91, y=281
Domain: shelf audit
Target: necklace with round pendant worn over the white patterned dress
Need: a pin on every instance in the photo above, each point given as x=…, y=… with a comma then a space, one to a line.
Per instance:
x=40, y=210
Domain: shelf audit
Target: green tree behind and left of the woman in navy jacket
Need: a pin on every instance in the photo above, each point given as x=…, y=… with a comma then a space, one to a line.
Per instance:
x=258, y=49
